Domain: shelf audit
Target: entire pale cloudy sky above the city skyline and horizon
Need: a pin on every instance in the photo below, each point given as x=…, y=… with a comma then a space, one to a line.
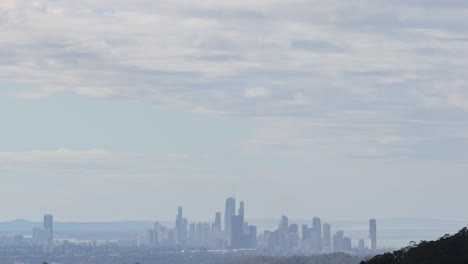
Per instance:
x=123, y=110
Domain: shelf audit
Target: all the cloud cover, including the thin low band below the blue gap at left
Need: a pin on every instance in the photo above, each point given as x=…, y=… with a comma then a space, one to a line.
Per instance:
x=357, y=81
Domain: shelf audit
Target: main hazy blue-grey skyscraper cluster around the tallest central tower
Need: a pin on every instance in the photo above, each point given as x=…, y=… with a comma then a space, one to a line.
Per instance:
x=238, y=234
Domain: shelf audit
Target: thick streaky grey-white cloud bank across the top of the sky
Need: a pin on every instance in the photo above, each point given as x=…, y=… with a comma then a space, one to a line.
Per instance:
x=312, y=60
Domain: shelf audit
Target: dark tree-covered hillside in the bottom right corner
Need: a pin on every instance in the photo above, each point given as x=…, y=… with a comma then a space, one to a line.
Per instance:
x=446, y=250
